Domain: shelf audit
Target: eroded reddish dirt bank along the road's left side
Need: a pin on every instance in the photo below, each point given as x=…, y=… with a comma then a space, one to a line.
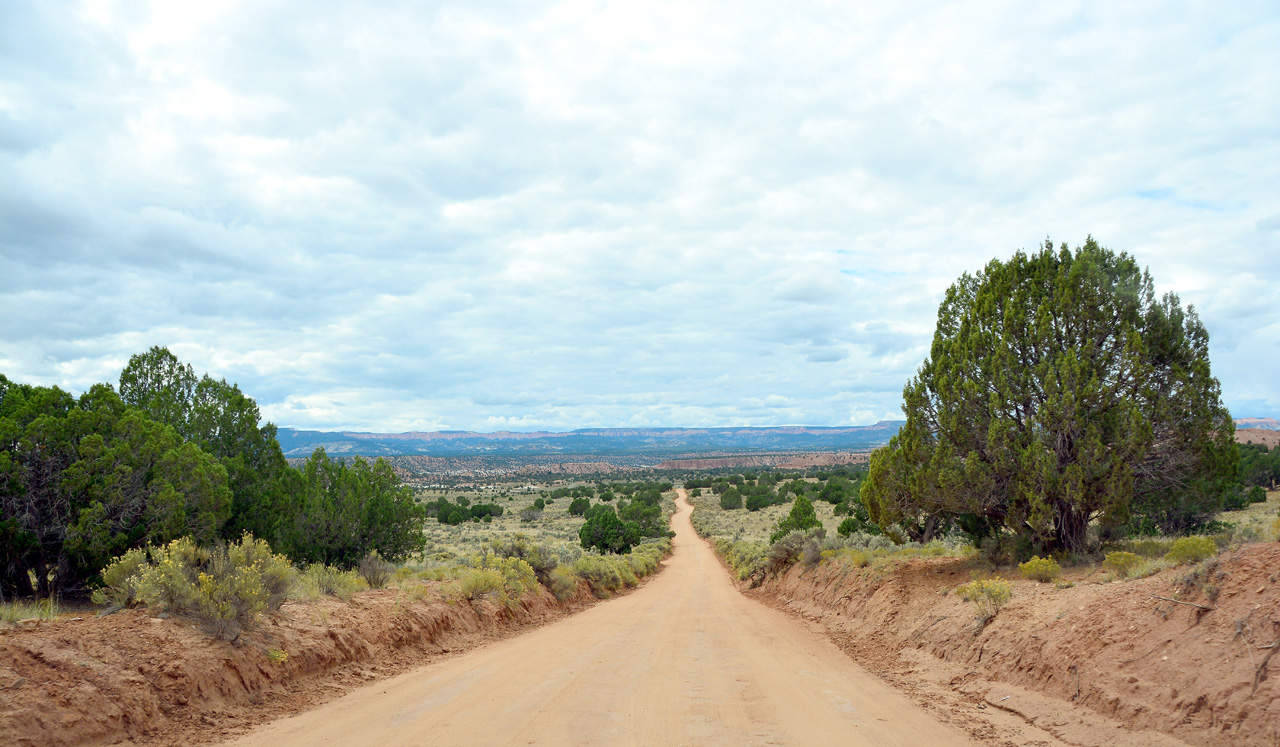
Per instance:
x=163, y=681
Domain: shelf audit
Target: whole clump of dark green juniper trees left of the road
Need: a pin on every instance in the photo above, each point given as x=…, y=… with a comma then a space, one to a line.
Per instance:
x=85, y=480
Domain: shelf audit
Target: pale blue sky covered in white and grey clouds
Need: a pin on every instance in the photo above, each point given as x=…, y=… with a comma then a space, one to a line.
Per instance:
x=524, y=216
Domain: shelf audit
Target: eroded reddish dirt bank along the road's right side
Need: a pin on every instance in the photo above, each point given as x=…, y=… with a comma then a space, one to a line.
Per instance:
x=1071, y=661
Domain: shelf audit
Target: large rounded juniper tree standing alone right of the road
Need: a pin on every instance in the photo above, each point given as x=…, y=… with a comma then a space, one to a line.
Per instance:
x=1059, y=389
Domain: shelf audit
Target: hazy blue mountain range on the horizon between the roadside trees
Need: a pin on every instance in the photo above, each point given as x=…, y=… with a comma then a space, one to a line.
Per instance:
x=296, y=443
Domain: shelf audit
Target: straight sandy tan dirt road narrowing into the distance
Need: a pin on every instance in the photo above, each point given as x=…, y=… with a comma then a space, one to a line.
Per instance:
x=683, y=661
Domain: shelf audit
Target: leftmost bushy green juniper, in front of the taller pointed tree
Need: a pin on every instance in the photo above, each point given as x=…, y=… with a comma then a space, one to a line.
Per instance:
x=84, y=480
